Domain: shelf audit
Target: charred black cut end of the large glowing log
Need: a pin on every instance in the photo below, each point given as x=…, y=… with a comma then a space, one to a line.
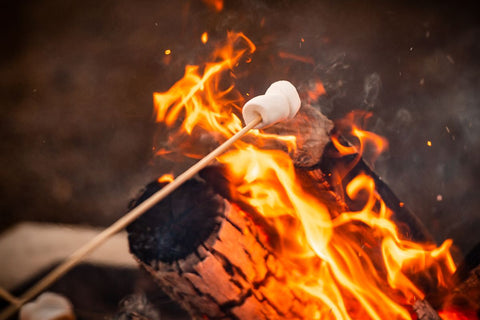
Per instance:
x=178, y=225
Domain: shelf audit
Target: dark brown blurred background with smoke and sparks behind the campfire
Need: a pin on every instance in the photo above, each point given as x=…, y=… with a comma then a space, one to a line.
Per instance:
x=77, y=79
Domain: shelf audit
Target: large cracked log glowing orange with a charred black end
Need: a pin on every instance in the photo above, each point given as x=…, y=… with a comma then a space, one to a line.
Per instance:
x=209, y=256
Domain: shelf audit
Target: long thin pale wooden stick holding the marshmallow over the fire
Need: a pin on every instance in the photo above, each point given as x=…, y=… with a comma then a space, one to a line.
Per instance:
x=121, y=223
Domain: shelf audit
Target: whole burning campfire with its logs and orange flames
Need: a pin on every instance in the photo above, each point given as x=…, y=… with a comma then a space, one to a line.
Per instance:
x=290, y=223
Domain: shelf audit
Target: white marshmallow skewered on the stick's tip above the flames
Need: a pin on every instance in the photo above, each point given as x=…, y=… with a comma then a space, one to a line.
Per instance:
x=280, y=102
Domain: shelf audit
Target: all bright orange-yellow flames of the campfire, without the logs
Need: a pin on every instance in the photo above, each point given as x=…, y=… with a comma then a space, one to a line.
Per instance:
x=354, y=264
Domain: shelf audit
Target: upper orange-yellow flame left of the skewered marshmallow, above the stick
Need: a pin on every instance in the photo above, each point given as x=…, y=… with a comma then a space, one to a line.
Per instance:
x=199, y=100
